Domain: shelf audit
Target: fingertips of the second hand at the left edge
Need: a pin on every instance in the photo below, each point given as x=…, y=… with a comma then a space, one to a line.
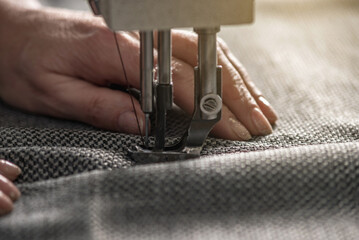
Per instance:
x=8, y=192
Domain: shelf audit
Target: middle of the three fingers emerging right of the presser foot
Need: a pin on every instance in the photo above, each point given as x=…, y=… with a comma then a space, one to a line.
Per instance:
x=240, y=101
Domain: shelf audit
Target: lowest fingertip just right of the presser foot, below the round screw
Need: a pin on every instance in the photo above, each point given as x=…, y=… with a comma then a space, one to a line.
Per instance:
x=230, y=128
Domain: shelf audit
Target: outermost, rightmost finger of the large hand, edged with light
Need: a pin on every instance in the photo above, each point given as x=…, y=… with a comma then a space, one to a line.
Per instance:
x=264, y=105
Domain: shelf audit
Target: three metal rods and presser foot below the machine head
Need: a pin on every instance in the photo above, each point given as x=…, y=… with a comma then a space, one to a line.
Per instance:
x=207, y=97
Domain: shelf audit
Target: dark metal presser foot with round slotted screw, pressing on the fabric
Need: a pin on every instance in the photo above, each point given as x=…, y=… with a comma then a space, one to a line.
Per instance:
x=208, y=111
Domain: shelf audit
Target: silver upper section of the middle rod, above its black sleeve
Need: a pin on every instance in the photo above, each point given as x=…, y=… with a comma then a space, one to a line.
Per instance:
x=164, y=57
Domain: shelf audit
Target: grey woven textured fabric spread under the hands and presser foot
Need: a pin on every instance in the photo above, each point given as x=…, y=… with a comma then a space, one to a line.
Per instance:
x=301, y=182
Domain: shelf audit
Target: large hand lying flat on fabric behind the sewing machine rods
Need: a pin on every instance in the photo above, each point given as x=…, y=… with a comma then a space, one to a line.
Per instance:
x=60, y=63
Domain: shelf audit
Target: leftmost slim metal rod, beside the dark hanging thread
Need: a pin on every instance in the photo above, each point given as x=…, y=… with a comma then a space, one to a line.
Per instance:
x=146, y=68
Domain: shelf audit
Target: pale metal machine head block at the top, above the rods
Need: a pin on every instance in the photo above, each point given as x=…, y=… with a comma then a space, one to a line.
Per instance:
x=166, y=14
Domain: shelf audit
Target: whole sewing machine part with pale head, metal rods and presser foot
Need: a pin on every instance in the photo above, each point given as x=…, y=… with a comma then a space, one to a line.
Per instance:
x=206, y=17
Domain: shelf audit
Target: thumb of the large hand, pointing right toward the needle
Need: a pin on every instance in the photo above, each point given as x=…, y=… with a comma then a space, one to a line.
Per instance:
x=101, y=107
